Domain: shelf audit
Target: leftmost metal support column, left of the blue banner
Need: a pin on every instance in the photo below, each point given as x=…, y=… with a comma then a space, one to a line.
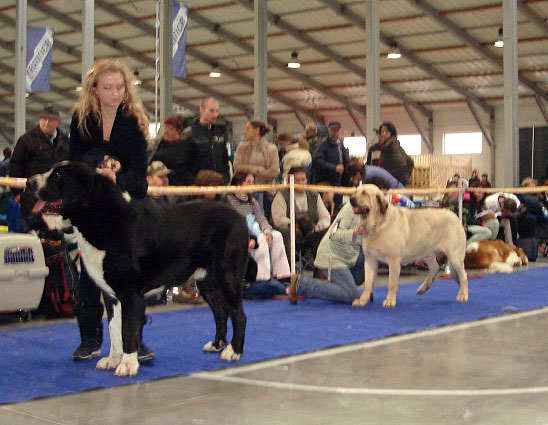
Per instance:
x=20, y=68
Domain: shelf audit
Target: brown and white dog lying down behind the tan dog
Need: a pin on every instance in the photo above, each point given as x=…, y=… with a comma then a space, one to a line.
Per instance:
x=495, y=256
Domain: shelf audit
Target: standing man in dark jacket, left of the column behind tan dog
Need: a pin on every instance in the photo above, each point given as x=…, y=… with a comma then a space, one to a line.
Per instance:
x=329, y=159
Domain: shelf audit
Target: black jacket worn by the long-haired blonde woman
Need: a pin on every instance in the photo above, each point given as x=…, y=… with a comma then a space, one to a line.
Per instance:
x=127, y=143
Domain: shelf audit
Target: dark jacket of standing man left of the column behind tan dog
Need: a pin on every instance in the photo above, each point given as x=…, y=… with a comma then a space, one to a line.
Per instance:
x=327, y=155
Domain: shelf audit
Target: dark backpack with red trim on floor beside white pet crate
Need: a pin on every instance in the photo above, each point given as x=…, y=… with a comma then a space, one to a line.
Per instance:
x=58, y=298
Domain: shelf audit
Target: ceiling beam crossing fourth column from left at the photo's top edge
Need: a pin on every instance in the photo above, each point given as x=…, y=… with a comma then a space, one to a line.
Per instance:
x=331, y=54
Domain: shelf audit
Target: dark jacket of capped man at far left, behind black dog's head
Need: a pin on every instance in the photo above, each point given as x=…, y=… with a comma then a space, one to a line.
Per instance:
x=34, y=153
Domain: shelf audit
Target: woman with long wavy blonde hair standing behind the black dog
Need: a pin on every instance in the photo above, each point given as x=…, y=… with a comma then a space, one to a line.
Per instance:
x=108, y=130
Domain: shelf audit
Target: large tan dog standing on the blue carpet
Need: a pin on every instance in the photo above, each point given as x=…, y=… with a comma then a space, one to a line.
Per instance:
x=398, y=236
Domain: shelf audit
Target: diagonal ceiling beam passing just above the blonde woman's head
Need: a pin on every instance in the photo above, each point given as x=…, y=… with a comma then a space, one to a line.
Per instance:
x=135, y=54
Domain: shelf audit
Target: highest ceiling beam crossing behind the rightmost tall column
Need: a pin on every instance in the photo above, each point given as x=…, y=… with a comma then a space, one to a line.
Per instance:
x=474, y=44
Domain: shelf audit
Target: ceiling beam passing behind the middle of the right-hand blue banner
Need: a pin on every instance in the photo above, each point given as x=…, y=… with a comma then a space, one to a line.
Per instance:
x=150, y=30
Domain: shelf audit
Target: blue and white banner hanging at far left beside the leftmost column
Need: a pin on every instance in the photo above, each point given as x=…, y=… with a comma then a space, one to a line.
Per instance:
x=39, y=52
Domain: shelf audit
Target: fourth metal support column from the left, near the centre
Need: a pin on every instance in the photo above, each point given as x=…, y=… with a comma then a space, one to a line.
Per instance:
x=260, y=59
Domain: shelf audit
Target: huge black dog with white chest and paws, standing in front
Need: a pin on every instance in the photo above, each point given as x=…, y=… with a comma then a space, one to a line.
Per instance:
x=131, y=247
